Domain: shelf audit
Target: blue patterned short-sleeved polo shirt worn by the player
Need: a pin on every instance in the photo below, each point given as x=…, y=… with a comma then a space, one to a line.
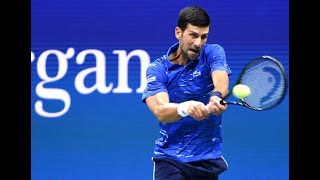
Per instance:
x=187, y=139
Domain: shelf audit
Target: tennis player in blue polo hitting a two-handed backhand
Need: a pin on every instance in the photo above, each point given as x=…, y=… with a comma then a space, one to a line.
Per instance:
x=184, y=88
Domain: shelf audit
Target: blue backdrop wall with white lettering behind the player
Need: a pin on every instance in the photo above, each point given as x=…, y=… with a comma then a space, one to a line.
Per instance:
x=87, y=70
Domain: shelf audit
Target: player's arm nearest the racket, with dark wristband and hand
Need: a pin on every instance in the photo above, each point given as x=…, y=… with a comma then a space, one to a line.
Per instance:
x=220, y=80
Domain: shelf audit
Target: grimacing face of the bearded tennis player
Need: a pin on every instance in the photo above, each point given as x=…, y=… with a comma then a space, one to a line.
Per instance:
x=192, y=40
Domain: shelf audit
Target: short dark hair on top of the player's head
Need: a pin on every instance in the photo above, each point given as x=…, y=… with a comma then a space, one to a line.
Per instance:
x=194, y=15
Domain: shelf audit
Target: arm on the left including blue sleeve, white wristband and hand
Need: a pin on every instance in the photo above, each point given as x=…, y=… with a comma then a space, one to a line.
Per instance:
x=157, y=98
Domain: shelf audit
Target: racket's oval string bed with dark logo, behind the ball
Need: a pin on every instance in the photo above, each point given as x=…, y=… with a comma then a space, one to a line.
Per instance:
x=267, y=82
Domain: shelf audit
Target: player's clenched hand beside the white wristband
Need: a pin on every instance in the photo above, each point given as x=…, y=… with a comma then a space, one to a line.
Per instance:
x=198, y=110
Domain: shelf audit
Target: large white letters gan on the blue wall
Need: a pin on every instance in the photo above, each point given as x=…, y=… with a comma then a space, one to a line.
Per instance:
x=100, y=72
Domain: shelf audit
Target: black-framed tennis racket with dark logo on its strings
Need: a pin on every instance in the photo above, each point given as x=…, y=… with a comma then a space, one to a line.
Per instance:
x=266, y=78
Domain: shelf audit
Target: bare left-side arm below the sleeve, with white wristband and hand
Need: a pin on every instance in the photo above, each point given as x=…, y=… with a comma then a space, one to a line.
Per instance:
x=167, y=112
